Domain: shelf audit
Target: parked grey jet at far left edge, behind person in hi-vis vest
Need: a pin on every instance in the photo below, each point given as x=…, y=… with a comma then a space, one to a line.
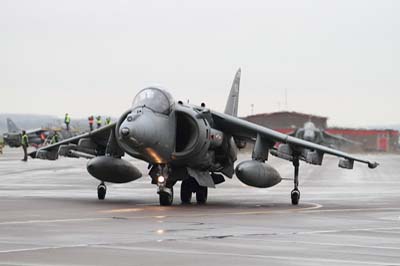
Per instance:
x=12, y=138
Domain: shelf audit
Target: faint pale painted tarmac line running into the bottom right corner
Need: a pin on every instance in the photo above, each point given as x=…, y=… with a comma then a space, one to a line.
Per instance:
x=227, y=254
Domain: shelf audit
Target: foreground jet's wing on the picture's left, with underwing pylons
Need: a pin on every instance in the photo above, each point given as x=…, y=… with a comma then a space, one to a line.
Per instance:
x=87, y=145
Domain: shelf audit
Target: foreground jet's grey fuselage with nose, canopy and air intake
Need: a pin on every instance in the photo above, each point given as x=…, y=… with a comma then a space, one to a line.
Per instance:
x=162, y=131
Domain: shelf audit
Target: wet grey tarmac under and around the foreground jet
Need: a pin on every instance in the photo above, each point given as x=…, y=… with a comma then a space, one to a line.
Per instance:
x=50, y=215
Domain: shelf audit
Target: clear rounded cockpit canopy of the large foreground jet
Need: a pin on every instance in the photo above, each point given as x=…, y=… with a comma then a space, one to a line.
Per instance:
x=156, y=99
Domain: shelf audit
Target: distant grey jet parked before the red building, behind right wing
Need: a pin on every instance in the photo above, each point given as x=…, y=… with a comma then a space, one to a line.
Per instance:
x=313, y=134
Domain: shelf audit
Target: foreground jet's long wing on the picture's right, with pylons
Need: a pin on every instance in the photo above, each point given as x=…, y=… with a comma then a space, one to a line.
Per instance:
x=304, y=150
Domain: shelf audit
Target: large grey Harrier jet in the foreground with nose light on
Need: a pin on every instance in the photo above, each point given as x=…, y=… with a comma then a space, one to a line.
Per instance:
x=188, y=143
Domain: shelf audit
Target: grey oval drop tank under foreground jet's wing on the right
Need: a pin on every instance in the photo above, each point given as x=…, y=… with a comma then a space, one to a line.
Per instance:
x=257, y=174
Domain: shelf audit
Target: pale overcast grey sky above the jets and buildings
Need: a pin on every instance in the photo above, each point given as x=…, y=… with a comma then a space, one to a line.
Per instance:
x=335, y=58
